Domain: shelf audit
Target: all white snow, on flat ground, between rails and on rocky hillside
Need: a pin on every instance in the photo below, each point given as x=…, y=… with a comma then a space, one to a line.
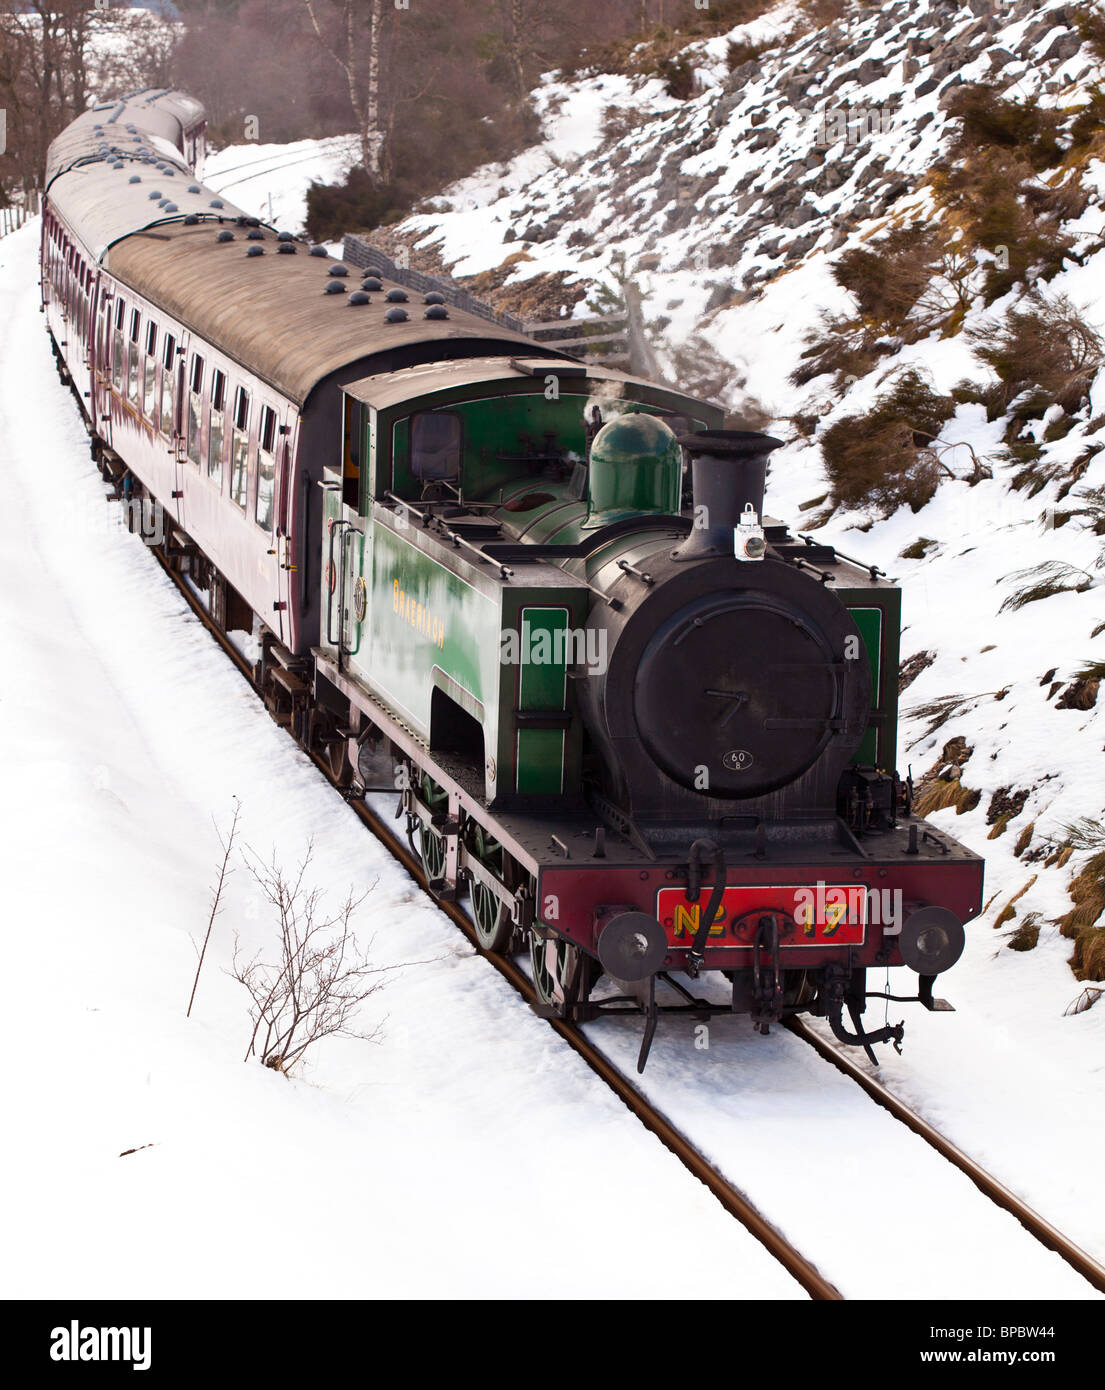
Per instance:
x=441, y=1156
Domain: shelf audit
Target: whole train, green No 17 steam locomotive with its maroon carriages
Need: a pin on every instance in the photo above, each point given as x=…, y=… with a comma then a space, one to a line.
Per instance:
x=644, y=726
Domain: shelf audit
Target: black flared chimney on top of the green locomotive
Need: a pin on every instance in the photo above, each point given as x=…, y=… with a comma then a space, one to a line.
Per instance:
x=729, y=471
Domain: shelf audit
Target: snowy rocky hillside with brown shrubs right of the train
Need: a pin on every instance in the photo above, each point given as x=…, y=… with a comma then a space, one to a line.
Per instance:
x=883, y=241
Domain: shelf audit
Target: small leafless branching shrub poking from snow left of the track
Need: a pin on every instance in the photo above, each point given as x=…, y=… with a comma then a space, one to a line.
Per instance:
x=319, y=981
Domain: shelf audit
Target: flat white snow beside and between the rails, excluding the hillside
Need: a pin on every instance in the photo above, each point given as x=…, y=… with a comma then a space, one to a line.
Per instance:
x=451, y=1154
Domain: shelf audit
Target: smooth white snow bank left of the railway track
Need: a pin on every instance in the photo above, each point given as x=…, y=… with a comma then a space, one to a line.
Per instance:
x=432, y=1163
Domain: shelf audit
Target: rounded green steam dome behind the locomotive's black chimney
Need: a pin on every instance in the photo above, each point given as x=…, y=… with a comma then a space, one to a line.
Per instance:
x=636, y=466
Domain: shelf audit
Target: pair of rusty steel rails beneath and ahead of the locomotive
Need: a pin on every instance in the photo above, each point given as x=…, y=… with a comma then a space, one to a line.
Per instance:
x=732, y=1199
